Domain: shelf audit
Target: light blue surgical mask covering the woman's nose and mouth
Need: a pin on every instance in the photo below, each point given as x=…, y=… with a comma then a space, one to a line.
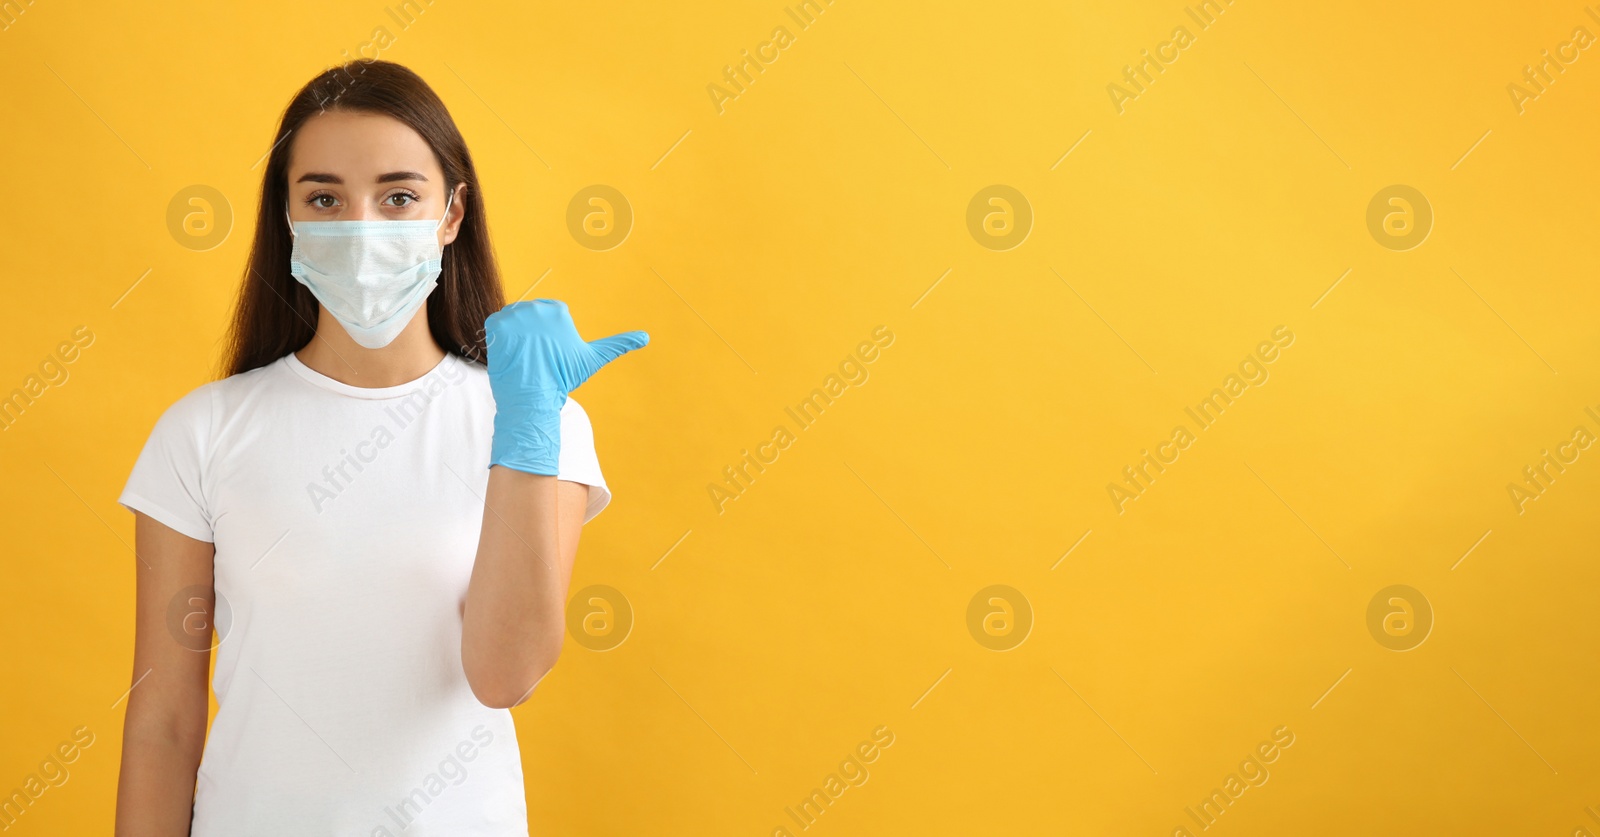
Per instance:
x=372, y=276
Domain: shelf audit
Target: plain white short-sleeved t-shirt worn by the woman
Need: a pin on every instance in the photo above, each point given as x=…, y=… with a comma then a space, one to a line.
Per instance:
x=346, y=524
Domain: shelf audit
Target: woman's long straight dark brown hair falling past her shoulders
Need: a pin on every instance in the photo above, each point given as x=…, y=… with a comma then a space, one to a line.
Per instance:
x=276, y=314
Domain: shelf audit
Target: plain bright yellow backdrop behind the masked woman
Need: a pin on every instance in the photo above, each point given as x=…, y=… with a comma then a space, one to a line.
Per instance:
x=777, y=236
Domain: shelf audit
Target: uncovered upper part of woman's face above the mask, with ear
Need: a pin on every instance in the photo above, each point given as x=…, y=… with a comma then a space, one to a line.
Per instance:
x=367, y=167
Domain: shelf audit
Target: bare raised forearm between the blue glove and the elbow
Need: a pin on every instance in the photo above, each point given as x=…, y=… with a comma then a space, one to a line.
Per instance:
x=516, y=611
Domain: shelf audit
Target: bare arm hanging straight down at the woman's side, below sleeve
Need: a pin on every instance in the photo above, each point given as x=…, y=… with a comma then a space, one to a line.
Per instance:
x=164, y=731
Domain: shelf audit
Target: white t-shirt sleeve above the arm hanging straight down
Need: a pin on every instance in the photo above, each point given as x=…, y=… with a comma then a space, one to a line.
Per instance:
x=167, y=481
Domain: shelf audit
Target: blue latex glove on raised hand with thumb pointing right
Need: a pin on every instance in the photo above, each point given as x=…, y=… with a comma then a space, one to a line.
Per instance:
x=537, y=358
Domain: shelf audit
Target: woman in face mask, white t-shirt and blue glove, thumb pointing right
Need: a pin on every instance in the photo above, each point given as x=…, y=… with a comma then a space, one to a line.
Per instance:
x=382, y=526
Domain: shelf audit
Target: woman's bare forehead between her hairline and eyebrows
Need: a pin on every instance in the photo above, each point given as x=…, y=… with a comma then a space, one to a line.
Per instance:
x=359, y=146
